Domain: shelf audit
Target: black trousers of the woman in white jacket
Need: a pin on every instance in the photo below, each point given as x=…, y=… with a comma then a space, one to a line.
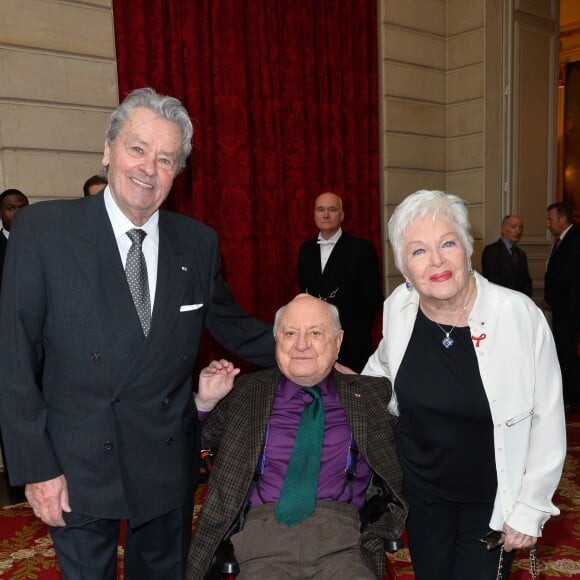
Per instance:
x=444, y=541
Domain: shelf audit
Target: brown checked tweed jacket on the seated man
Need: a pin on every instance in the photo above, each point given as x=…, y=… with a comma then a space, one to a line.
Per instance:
x=237, y=426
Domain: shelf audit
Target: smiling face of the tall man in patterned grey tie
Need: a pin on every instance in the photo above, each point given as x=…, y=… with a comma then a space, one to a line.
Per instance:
x=142, y=163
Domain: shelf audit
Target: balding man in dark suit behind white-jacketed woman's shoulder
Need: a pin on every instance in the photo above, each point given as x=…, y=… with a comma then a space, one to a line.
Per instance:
x=503, y=262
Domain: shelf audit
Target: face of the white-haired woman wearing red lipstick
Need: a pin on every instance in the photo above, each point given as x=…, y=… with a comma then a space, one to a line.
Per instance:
x=434, y=260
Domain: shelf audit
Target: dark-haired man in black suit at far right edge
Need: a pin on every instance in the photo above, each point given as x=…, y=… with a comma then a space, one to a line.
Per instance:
x=562, y=294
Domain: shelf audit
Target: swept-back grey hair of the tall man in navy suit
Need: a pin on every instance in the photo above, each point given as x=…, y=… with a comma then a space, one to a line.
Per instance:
x=169, y=108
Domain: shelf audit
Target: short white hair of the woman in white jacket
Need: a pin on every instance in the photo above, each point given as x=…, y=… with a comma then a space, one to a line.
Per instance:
x=416, y=206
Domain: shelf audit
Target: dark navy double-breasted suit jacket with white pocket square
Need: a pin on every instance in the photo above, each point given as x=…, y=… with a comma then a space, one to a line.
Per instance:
x=83, y=392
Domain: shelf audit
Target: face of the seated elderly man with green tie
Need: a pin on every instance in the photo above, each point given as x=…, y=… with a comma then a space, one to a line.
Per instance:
x=307, y=343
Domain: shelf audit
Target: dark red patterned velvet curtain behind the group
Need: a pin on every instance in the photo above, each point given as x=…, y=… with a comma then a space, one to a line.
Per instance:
x=283, y=94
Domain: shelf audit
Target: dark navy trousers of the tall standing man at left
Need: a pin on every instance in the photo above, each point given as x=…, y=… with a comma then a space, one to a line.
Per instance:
x=86, y=548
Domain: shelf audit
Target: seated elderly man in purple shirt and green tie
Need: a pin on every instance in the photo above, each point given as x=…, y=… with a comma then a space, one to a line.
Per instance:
x=337, y=525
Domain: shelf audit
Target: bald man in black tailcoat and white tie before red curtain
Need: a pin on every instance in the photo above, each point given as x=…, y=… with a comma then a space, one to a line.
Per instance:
x=344, y=271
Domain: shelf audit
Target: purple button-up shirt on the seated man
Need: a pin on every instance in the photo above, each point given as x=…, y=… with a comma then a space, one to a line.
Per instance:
x=289, y=402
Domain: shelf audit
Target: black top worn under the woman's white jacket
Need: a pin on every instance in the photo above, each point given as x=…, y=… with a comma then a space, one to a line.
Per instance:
x=445, y=432
